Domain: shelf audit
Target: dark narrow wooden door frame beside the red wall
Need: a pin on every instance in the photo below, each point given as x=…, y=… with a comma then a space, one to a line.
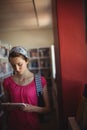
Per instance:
x=58, y=80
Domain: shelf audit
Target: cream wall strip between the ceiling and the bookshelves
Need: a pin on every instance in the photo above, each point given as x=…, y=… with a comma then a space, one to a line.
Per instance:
x=29, y=39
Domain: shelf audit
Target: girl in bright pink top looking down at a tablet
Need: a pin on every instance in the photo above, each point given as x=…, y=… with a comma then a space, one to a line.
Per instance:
x=20, y=88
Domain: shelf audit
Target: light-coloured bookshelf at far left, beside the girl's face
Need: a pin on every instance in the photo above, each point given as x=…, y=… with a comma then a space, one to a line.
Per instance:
x=5, y=68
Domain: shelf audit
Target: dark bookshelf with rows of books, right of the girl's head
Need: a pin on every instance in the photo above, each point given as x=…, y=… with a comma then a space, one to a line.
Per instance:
x=40, y=61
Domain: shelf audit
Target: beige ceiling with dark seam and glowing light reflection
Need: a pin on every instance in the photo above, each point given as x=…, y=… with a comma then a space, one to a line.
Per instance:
x=25, y=14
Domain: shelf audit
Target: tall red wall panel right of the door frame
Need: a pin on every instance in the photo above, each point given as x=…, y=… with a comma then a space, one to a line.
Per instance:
x=71, y=28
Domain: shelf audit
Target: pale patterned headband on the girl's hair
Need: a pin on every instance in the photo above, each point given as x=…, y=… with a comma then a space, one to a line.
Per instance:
x=19, y=50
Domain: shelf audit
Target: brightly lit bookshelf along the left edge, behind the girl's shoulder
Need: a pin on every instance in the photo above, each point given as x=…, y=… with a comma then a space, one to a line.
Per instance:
x=5, y=71
